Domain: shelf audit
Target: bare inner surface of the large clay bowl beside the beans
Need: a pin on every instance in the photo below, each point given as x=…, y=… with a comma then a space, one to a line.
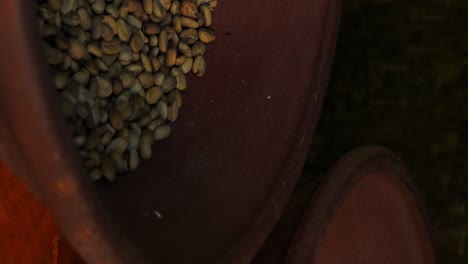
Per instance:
x=228, y=162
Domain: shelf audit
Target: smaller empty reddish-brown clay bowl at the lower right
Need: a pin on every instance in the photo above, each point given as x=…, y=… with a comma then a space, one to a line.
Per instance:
x=366, y=210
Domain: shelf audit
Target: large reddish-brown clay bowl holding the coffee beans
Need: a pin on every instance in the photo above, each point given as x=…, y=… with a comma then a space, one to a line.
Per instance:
x=215, y=189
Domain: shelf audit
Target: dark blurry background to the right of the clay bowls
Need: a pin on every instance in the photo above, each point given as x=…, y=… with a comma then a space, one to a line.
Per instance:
x=399, y=80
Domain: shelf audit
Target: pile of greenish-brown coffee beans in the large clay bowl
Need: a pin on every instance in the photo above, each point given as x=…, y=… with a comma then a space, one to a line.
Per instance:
x=119, y=66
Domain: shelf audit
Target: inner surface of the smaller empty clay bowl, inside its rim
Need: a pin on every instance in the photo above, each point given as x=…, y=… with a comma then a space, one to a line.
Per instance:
x=378, y=222
